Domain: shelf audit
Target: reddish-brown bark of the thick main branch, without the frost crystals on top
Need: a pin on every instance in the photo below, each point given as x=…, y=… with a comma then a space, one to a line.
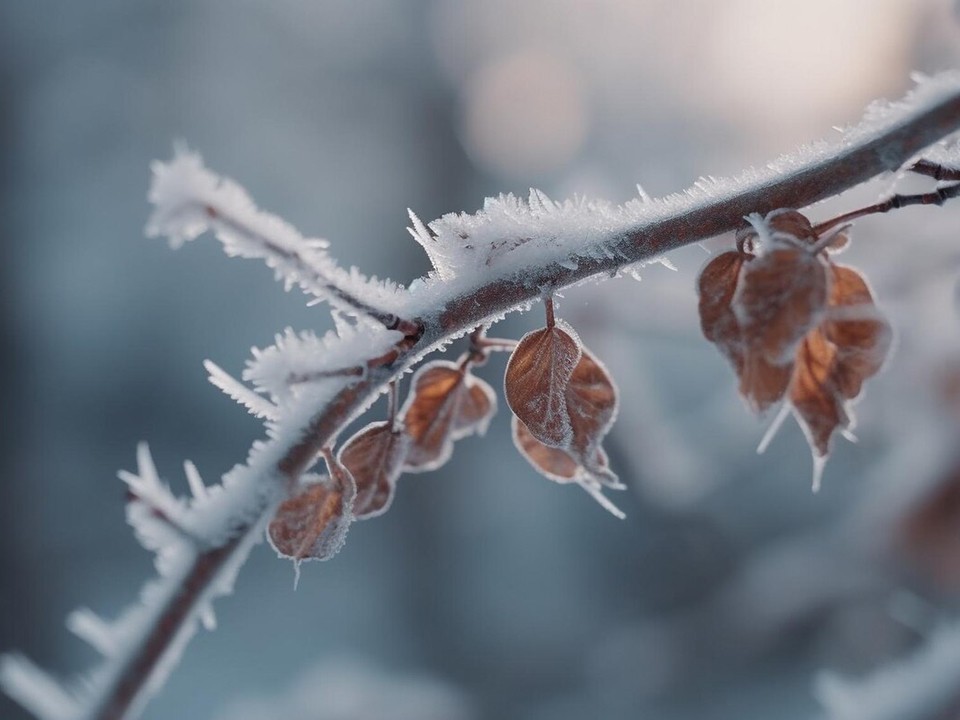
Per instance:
x=461, y=312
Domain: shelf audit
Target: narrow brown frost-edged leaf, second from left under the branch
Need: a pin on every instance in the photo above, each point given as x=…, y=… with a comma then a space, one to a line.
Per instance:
x=374, y=457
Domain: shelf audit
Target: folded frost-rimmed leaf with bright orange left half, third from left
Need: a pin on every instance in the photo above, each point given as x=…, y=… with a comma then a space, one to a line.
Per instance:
x=446, y=404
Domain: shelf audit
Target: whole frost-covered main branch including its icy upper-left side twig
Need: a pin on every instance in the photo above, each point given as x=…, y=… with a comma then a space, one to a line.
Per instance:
x=501, y=259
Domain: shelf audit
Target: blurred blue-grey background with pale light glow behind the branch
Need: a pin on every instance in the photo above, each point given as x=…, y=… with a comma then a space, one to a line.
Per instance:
x=487, y=591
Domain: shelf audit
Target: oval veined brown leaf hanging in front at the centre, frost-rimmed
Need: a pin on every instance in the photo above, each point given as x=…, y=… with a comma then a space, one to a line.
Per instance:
x=536, y=381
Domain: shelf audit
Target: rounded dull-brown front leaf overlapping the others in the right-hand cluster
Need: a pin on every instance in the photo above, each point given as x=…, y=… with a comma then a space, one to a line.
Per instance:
x=781, y=297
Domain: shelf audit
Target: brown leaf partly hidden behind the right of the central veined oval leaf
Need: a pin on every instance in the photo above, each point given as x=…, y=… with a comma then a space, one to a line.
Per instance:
x=592, y=400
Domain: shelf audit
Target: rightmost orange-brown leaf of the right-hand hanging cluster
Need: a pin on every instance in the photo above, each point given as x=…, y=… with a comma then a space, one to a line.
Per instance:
x=861, y=334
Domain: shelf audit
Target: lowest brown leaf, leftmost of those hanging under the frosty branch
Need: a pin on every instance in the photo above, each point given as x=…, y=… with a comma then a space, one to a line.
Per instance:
x=313, y=524
